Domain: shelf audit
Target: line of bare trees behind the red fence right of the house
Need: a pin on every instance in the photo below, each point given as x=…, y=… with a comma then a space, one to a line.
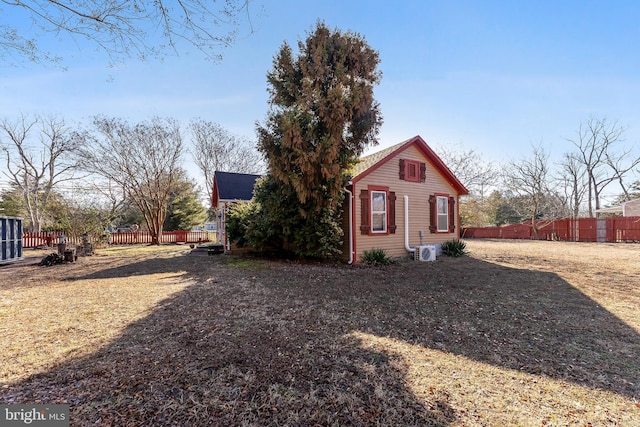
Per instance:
x=537, y=188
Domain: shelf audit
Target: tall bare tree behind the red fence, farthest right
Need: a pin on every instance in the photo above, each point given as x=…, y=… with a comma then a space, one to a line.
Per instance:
x=597, y=143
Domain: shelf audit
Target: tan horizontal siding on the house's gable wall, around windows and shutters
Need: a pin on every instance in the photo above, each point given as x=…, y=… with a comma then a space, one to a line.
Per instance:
x=419, y=216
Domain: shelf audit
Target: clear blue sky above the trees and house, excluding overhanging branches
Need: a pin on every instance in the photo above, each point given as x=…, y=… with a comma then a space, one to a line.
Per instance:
x=496, y=76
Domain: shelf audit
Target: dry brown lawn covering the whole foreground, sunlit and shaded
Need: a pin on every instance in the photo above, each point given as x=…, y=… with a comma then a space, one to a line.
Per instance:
x=518, y=333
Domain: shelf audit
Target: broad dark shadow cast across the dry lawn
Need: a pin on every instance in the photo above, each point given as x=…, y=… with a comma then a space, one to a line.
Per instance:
x=269, y=344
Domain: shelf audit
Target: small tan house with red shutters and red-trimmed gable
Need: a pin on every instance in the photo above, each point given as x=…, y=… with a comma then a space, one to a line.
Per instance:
x=399, y=199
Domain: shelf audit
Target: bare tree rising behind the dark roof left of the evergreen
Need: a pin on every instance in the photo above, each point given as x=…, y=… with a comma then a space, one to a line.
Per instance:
x=215, y=149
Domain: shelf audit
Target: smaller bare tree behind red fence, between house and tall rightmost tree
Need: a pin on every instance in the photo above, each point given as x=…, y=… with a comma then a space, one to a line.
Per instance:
x=528, y=180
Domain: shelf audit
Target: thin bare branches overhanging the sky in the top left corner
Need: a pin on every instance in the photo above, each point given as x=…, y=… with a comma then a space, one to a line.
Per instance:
x=122, y=28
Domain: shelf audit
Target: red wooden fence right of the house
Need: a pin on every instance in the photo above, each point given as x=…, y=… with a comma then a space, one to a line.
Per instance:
x=609, y=229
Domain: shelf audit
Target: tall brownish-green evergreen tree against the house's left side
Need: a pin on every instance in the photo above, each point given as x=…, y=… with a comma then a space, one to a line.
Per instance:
x=323, y=115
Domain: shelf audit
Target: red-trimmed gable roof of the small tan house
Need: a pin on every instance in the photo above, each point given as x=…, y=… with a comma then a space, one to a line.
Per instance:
x=373, y=161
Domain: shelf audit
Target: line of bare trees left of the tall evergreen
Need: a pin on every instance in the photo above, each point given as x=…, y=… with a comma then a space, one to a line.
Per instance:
x=112, y=173
